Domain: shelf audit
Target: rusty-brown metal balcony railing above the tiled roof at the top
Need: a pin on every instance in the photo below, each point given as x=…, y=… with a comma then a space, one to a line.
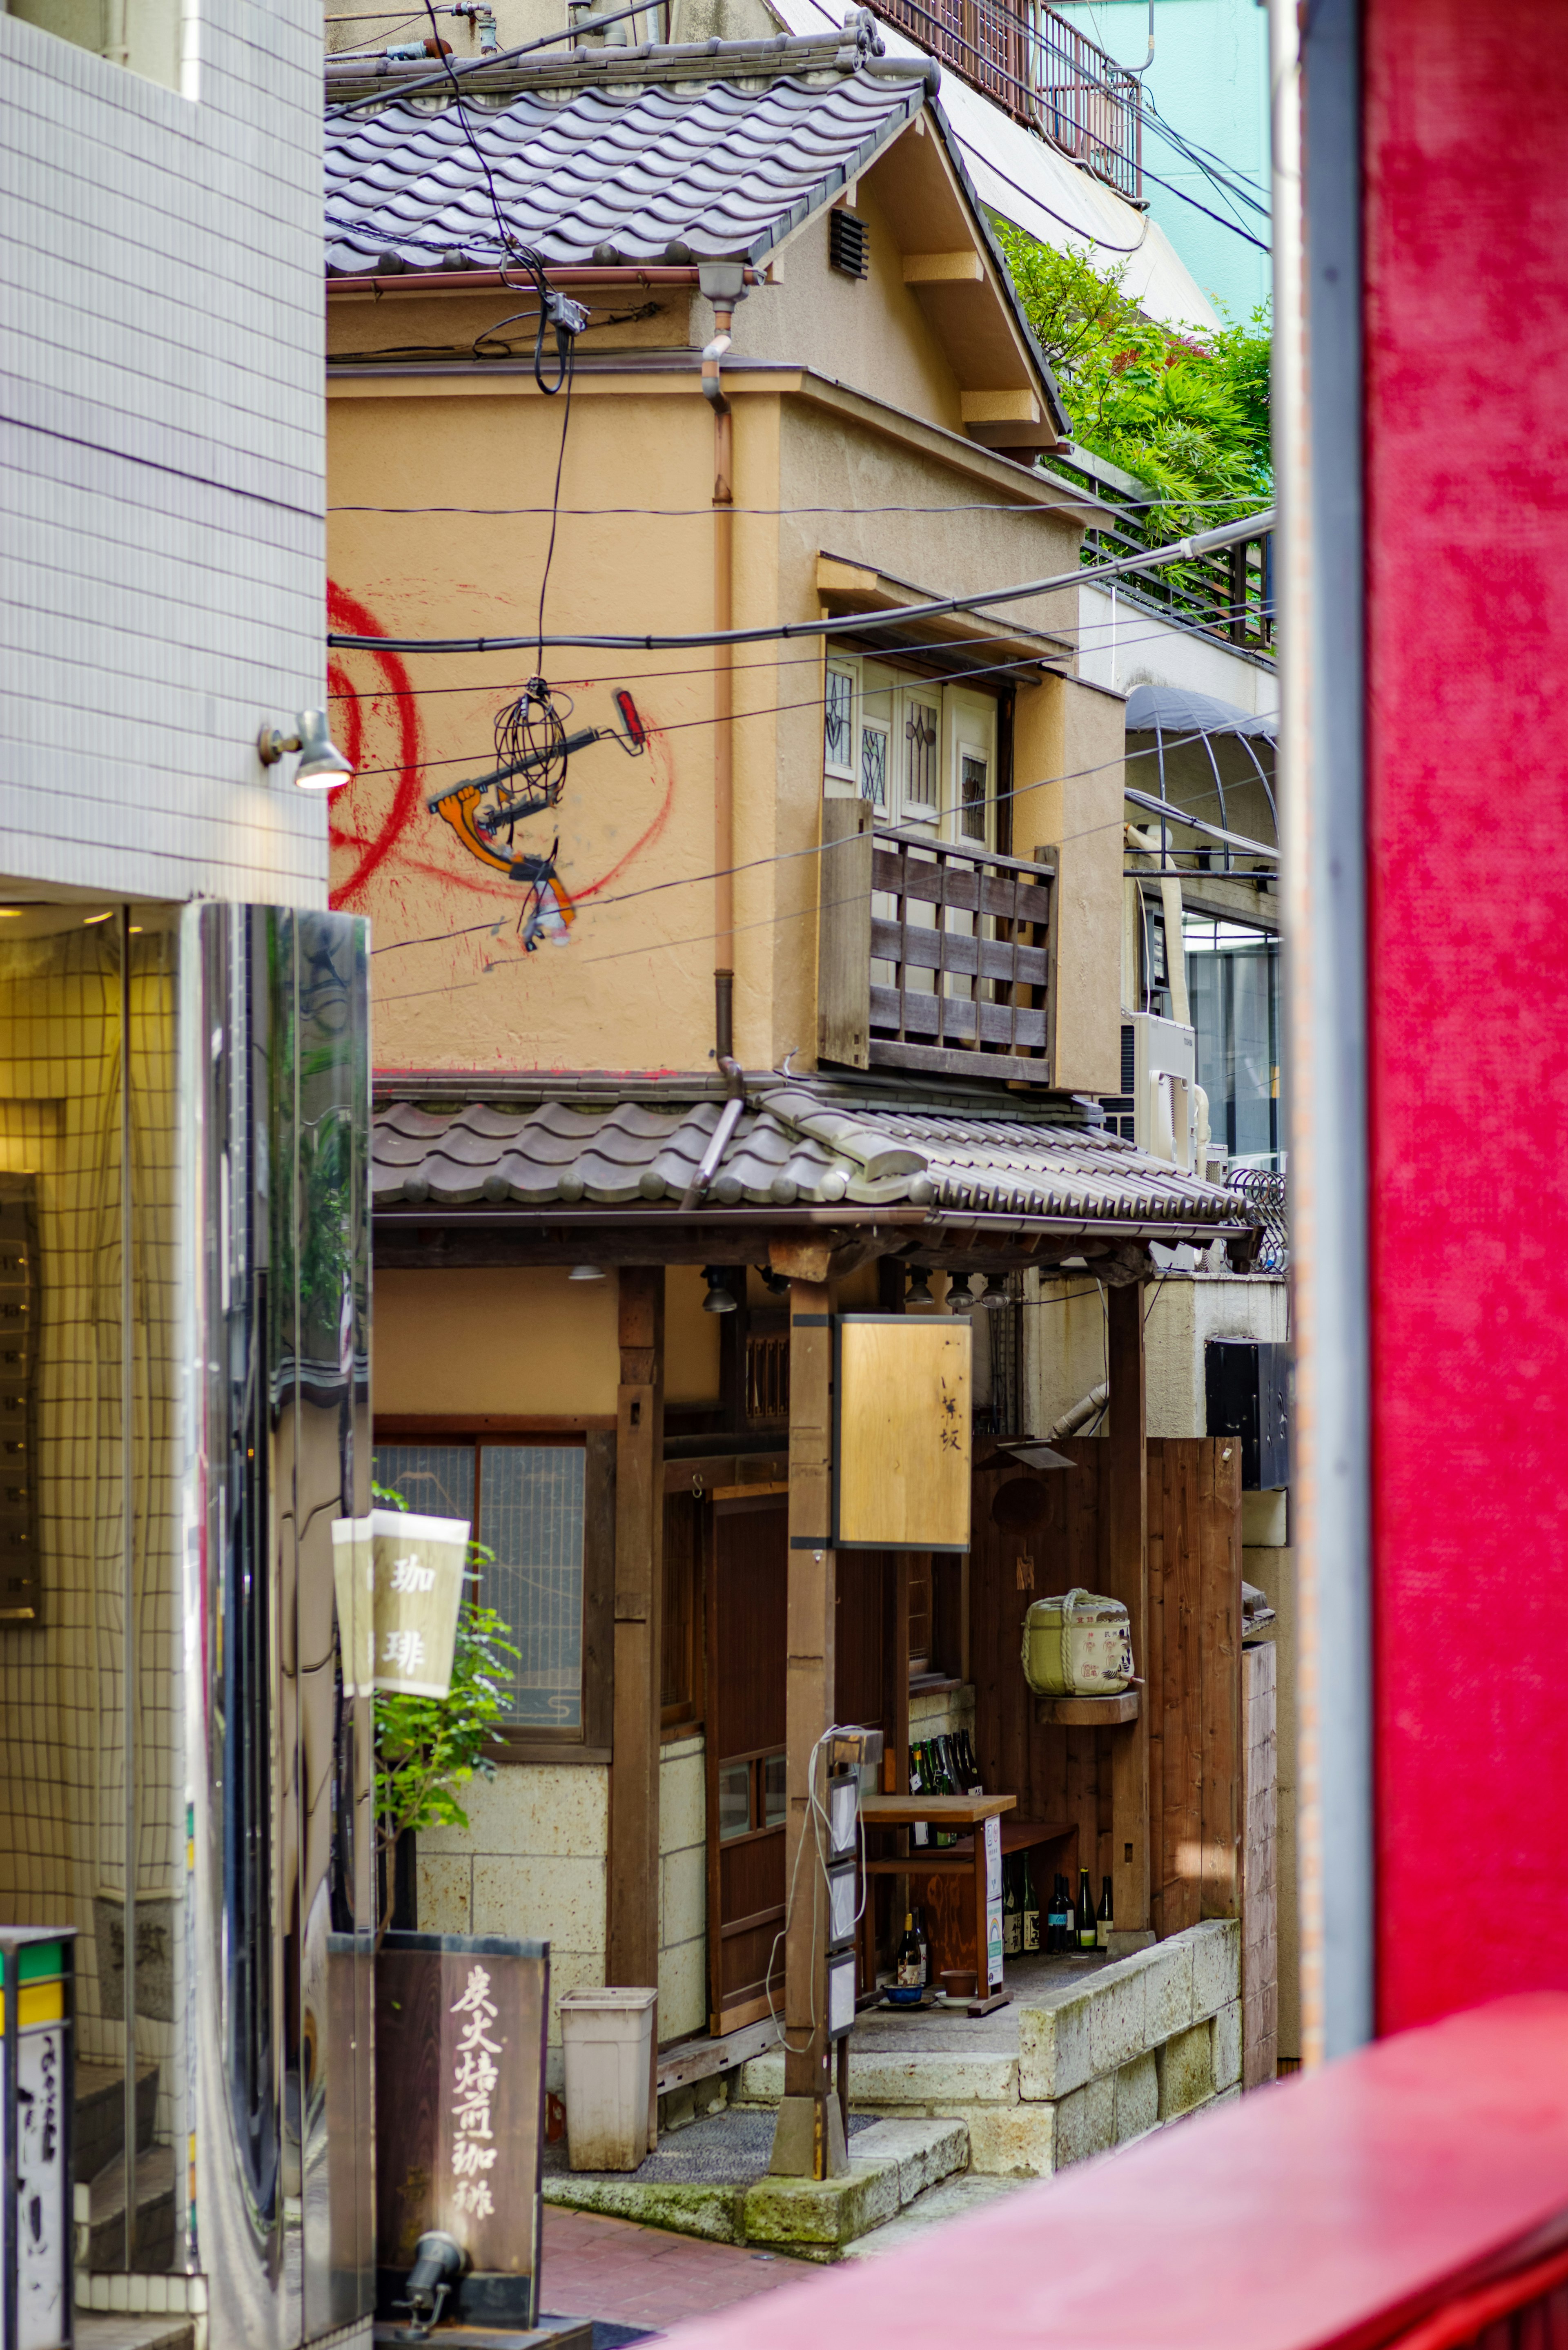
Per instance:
x=1043, y=72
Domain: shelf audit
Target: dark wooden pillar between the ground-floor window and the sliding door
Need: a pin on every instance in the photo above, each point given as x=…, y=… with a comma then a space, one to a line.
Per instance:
x=641, y=1517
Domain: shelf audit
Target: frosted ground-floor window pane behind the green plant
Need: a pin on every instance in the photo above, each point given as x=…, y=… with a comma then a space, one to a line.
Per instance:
x=532, y=1519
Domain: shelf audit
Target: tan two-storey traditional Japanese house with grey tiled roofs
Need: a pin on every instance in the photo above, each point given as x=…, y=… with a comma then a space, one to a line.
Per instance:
x=784, y=986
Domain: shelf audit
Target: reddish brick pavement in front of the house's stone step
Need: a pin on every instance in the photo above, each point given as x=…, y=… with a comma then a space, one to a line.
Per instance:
x=631, y=2276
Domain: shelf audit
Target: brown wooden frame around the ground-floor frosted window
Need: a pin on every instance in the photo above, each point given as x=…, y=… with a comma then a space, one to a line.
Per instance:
x=591, y=1740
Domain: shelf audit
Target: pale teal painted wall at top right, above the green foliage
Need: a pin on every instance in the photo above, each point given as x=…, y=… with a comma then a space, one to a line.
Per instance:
x=1212, y=83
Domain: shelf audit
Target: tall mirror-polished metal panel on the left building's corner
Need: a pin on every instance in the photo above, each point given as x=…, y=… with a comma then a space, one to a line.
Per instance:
x=276, y=1092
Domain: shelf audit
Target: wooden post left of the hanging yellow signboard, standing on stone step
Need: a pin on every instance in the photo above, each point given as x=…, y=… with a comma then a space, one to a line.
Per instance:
x=810, y=2135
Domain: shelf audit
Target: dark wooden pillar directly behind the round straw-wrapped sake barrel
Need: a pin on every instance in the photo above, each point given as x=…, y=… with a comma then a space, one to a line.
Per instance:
x=1130, y=1583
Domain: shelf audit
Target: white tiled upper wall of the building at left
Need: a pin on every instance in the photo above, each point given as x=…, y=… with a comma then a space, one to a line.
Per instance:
x=161, y=457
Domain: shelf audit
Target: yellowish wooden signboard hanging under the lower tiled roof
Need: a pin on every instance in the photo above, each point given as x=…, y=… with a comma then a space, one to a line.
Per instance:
x=902, y=1432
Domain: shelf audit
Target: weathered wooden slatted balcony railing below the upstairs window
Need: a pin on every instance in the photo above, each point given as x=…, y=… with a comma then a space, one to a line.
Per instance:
x=932, y=955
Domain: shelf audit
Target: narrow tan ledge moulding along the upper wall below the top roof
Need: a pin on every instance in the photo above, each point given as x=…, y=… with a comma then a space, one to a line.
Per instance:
x=619, y=377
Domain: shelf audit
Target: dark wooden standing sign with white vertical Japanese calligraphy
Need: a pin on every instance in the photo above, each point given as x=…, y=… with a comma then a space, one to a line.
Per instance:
x=460, y=2114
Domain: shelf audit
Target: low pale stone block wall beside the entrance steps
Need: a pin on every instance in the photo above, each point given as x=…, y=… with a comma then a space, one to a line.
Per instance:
x=1115, y=2055
